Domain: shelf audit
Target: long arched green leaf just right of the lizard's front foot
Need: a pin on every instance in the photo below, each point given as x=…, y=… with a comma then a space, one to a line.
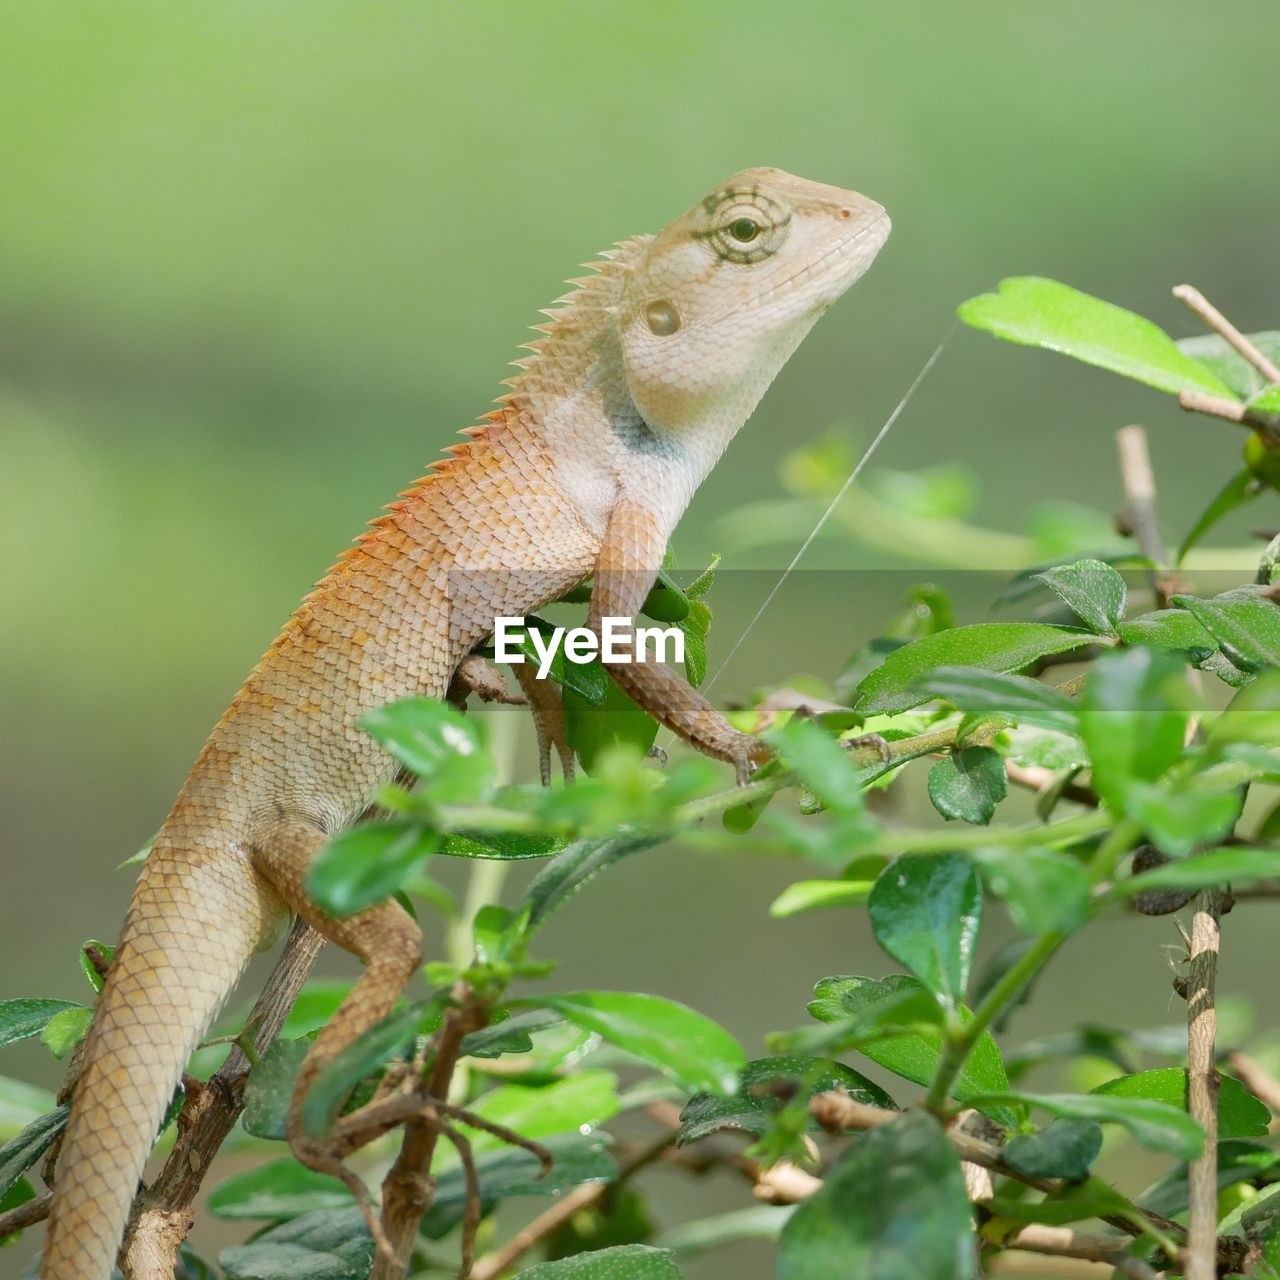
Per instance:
x=991, y=646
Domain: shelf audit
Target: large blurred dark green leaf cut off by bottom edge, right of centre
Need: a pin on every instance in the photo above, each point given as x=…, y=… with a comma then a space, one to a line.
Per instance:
x=893, y=1208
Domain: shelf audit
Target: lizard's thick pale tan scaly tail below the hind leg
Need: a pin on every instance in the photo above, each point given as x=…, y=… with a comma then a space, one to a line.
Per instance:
x=193, y=926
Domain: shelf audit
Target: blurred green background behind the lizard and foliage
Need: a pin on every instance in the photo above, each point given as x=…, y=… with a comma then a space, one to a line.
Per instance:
x=259, y=263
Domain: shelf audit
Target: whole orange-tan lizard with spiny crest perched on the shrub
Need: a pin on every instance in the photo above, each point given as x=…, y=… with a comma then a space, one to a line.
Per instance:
x=625, y=401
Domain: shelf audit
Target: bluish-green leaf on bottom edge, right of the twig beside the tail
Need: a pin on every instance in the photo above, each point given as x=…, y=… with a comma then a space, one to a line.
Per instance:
x=331, y=1245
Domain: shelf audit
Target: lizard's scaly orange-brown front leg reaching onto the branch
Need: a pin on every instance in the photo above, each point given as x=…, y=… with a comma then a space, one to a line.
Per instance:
x=627, y=569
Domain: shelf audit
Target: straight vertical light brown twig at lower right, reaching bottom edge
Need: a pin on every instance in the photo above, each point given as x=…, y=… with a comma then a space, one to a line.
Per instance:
x=1201, y=1251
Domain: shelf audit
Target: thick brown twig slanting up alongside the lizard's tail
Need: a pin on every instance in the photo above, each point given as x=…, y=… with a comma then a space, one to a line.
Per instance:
x=163, y=1214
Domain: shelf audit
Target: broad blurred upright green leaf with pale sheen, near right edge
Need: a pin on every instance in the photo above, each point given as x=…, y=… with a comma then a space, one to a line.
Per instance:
x=1130, y=725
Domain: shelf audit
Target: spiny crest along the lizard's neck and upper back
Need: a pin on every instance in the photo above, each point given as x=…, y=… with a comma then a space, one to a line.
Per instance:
x=573, y=318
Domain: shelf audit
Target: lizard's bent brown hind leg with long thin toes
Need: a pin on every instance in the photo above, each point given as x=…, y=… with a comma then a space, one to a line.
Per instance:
x=385, y=938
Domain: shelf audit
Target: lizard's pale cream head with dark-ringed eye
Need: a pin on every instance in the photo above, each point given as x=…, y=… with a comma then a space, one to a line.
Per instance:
x=723, y=296
